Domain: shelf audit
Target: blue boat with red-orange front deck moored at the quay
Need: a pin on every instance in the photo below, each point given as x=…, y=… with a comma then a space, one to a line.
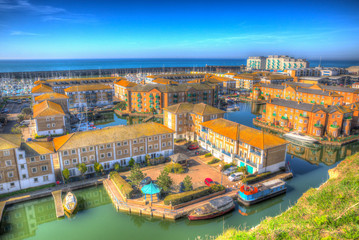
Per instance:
x=249, y=195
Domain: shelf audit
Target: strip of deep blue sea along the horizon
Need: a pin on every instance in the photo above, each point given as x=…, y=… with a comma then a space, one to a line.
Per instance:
x=81, y=64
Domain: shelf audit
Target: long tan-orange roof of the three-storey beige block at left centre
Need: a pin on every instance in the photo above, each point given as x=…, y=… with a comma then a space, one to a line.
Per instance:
x=109, y=135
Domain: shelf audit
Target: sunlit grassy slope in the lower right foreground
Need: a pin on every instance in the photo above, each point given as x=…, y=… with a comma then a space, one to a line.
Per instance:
x=330, y=212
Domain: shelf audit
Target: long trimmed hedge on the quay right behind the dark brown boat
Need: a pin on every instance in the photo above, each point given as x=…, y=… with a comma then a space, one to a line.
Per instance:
x=179, y=198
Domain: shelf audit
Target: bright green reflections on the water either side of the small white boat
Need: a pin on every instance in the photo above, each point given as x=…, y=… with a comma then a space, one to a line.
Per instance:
x=22, y=220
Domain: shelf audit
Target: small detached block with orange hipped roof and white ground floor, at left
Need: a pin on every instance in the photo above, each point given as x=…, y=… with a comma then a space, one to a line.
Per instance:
x=50, y=118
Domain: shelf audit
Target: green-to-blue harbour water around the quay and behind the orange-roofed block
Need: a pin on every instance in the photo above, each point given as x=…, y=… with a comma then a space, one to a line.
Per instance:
x=97, y=218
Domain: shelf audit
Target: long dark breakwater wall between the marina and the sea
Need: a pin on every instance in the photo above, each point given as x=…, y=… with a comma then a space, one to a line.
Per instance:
x=120, y=71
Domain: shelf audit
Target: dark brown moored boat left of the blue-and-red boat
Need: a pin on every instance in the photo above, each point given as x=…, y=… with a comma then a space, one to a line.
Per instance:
x=215, y=208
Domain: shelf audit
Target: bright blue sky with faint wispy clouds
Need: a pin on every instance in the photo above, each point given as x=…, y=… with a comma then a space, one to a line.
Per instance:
x=53, y=29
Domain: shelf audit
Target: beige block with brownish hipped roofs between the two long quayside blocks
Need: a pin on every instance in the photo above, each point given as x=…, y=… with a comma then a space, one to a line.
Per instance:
x=185, y=118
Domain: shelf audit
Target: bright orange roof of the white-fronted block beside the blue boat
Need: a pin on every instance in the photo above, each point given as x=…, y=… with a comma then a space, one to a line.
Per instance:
x=245, y=134
